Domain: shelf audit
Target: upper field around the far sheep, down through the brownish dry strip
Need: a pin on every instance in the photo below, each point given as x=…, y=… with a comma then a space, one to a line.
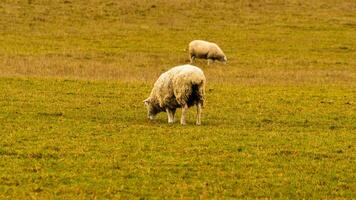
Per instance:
x=267, y=42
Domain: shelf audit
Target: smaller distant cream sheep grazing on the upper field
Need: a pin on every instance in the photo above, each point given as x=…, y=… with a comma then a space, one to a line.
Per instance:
x=206, y=50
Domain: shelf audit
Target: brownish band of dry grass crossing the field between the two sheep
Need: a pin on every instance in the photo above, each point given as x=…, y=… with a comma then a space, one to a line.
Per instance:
x=147, y=69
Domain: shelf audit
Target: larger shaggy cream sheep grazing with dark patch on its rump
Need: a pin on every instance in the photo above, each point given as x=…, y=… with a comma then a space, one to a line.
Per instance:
x=180, y=87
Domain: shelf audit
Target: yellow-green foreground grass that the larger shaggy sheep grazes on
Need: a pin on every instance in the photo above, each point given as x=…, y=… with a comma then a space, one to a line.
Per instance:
x=64, y=138
